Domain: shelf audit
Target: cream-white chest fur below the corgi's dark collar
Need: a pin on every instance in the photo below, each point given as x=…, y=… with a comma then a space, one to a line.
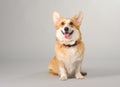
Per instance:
x=71, y=58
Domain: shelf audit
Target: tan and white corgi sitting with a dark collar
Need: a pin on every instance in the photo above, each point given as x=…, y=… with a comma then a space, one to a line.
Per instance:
x=69, y=48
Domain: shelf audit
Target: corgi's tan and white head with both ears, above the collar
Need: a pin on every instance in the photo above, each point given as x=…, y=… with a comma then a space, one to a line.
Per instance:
x=67, y=29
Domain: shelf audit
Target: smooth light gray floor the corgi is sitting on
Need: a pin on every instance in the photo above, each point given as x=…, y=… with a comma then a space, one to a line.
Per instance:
x=33, y=73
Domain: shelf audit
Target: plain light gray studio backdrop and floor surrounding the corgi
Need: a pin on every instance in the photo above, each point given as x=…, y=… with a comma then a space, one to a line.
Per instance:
x=27, y=39
